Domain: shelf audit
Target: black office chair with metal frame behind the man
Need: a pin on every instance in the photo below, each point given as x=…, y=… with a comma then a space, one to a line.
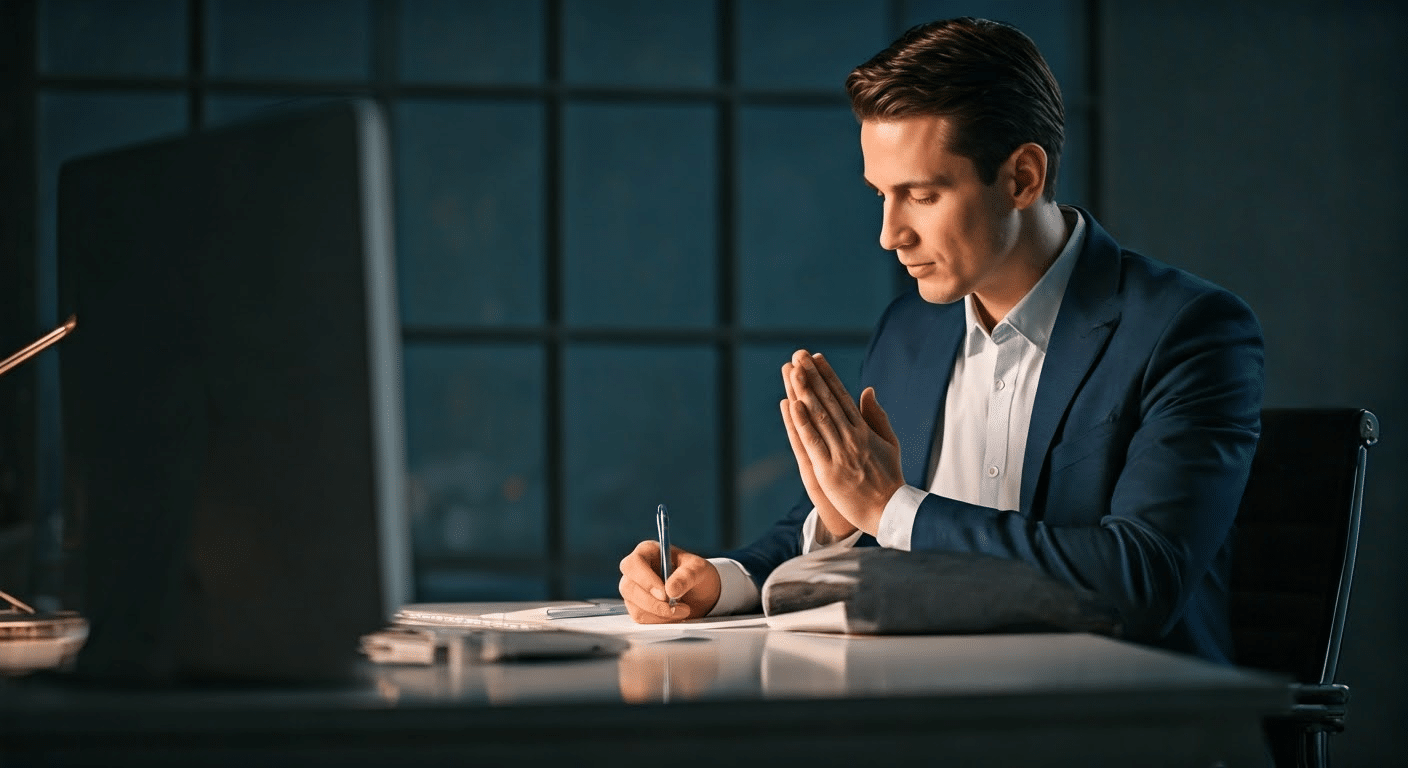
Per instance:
x=1293, y=562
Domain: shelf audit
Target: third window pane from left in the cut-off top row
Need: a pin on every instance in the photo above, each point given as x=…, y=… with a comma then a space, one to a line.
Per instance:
x=471, y=42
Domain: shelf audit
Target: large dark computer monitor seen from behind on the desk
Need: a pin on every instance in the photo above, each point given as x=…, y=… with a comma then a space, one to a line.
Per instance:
x=233, y=433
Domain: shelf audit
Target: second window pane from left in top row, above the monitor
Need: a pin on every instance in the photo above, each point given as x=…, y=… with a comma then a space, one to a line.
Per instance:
x=289, y=39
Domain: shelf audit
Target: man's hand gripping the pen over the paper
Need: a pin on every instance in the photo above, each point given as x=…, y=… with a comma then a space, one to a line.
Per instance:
x=693, y=584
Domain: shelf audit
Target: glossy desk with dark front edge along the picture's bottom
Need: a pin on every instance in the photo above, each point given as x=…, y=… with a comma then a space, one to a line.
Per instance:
x=744, y=697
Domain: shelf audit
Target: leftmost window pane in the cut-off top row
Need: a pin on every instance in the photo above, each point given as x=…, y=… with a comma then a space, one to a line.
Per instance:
x=113, y=37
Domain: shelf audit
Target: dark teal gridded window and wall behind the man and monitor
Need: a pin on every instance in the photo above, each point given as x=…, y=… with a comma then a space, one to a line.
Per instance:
x=603, y=192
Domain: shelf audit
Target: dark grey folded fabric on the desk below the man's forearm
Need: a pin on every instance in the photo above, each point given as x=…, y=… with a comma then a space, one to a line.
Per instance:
x=898, y=593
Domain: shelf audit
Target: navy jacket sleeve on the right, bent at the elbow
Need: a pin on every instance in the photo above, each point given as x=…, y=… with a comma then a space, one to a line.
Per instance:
x=1137, y=509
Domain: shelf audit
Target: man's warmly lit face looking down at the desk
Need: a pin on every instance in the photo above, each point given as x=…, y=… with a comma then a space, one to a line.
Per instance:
x=954, y=233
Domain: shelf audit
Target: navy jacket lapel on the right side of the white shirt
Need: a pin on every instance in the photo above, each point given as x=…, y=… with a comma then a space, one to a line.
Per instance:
x=1089, y=315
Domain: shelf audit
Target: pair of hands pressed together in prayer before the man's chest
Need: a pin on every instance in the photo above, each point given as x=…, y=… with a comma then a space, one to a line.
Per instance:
x=848, y=456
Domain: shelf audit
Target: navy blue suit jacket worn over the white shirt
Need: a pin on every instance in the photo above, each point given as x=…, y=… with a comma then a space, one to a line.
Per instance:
x=1140, y=446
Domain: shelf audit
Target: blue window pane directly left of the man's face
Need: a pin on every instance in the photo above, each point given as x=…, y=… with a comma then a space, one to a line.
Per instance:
x=809, y=226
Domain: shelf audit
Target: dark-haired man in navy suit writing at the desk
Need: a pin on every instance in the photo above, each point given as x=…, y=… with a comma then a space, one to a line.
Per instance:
x=1048, y=397
